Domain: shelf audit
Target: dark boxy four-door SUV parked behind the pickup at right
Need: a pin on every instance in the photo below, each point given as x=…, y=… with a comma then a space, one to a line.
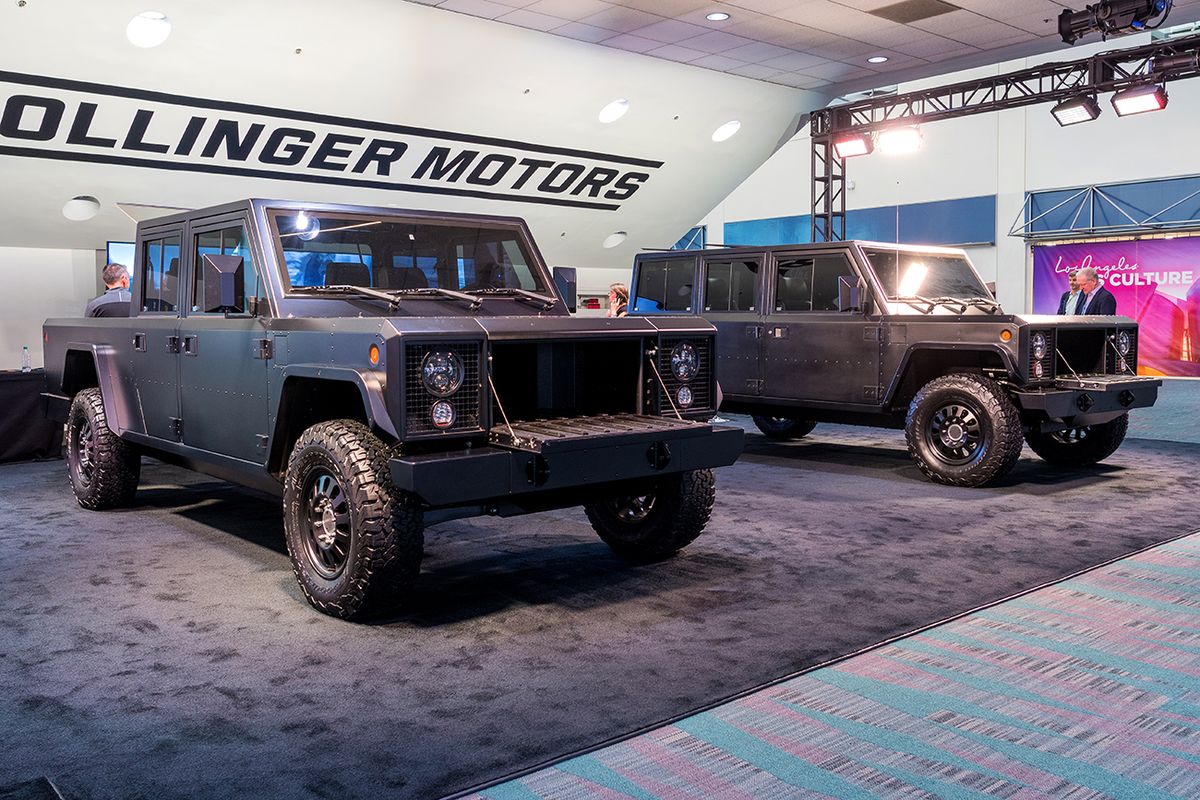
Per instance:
x=907, y=338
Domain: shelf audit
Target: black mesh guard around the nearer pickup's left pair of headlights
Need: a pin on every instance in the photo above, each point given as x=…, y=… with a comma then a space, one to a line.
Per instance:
x=467, y=402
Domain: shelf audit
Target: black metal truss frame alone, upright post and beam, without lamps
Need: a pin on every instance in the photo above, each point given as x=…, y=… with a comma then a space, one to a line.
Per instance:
x=1114, y=71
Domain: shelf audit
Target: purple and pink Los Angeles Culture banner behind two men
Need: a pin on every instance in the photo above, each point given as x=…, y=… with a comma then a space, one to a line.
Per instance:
x=1156, y=282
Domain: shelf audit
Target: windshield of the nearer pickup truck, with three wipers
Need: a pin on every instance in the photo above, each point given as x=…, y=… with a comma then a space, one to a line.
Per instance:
x=329, y=249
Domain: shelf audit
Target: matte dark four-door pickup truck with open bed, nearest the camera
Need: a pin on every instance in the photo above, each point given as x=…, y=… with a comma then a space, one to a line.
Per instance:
x=382, y=371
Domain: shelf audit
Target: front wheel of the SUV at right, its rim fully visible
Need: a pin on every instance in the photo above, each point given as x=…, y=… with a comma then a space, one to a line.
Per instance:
x=969, y=408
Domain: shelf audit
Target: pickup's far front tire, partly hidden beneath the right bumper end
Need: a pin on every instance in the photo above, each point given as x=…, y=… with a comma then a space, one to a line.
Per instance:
x=655, y=520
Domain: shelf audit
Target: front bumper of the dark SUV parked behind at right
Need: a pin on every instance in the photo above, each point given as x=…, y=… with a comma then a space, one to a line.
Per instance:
x=1089, y=400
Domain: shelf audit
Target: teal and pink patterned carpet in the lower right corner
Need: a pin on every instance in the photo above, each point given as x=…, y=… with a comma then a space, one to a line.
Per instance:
x=1085, y=689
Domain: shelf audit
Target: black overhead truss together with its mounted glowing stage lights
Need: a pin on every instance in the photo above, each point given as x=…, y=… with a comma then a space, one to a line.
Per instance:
x=1137, y=76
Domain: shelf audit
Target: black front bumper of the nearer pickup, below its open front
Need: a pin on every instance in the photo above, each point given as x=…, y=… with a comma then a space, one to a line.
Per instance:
x=537, y=460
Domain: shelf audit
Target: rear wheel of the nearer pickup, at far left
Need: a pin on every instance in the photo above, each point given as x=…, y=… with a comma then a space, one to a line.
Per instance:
x=104, y=468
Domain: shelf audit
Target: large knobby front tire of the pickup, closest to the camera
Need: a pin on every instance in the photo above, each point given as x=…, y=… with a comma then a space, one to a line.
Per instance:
x=381, y=530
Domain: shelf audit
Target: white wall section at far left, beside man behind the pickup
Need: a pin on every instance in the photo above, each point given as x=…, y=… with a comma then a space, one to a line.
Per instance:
x=40, y=284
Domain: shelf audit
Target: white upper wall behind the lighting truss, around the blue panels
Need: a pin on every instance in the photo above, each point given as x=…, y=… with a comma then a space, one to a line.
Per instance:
x=1006, y=154
